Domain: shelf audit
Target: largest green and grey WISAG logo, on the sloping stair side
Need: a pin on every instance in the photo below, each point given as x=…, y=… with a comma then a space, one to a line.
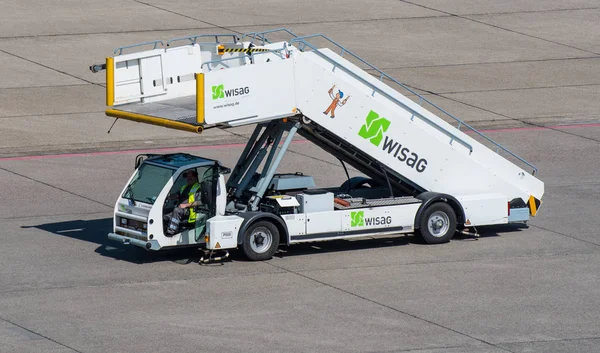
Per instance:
x=374, y=129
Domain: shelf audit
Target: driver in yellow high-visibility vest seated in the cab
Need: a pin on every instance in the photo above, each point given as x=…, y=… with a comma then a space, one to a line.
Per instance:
x=186, y=199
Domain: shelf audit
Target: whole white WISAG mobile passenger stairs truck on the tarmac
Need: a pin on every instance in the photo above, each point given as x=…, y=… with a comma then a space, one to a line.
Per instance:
x=422, y=174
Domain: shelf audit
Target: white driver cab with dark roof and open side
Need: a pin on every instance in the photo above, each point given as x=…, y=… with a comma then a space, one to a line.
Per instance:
x=142, y=212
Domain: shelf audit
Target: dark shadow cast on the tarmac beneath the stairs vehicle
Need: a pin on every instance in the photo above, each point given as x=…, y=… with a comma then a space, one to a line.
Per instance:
x=96, y=230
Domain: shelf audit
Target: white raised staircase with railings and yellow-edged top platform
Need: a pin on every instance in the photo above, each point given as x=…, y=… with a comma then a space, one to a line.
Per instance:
x=288, y=79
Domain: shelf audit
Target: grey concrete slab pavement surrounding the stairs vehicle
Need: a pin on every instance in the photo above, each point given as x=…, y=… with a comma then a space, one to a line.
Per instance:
x=525, y=71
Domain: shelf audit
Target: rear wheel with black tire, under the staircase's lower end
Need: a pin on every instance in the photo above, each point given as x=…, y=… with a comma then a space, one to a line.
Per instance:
x=438, y=223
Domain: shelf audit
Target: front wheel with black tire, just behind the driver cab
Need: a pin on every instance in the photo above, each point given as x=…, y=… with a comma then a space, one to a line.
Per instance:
x=261, y=240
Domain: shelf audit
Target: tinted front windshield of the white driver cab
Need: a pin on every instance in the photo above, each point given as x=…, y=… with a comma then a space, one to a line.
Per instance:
x=147, y=183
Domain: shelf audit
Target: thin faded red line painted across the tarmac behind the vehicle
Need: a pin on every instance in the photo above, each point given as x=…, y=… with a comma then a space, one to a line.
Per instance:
x=69, y=155
